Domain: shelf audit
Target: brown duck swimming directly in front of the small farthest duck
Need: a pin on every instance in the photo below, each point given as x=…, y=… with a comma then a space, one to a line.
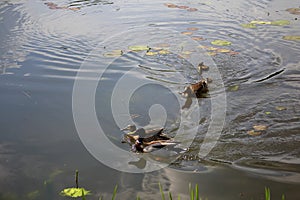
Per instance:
x=196, y=89
